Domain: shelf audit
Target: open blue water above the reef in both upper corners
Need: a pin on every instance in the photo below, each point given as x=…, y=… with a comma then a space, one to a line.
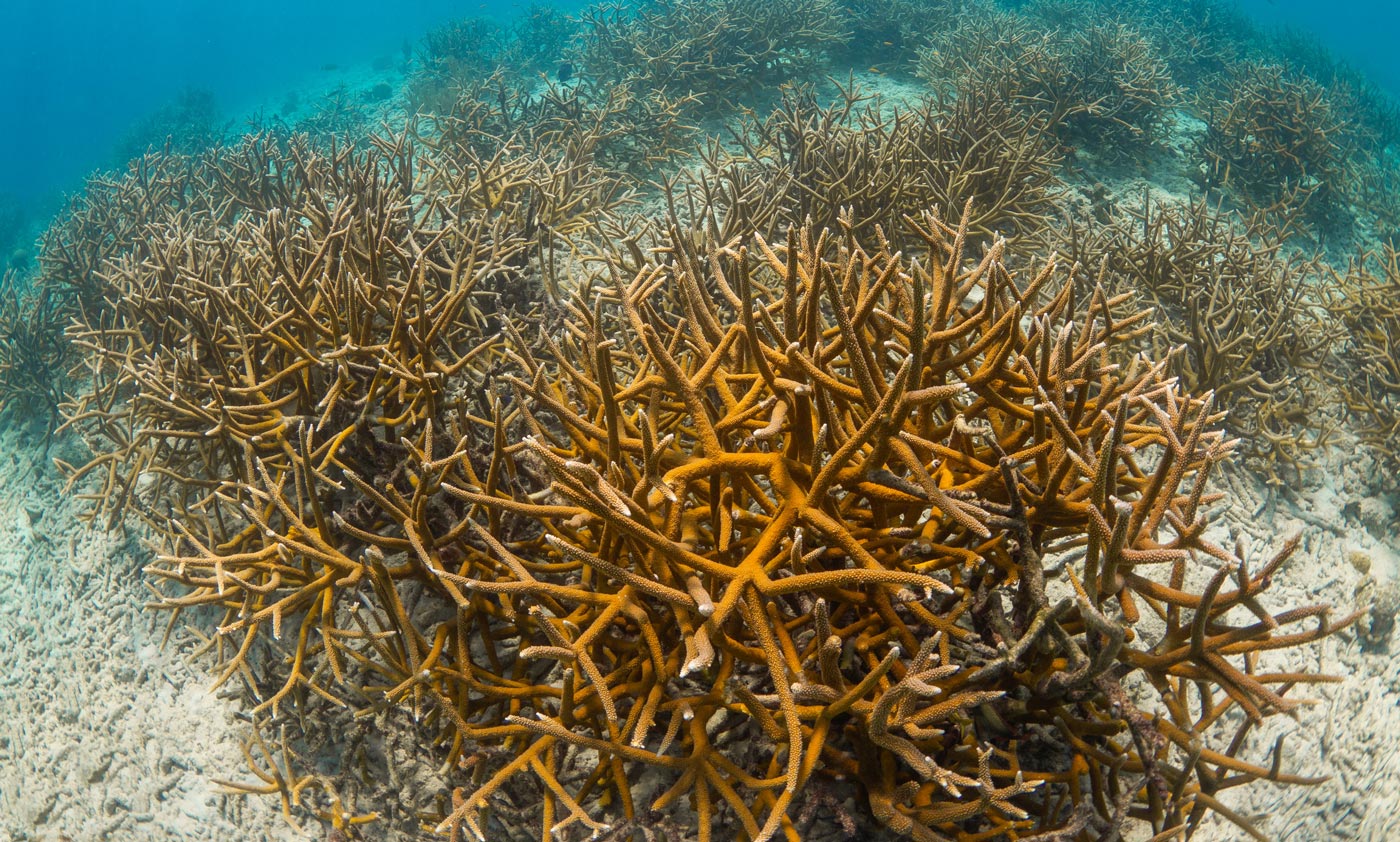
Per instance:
x=78, y=76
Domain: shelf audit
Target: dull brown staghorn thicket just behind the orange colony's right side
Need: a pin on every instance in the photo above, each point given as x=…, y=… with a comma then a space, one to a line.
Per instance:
x=1247, y=312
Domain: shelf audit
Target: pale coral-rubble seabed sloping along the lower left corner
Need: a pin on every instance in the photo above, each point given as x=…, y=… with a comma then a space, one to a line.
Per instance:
x=103, y=733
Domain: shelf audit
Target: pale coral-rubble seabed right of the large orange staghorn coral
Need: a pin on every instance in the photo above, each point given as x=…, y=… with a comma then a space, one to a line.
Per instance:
x=1353, y=732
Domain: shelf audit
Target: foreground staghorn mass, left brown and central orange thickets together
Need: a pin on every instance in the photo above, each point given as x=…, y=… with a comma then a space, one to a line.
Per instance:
x=709, y=526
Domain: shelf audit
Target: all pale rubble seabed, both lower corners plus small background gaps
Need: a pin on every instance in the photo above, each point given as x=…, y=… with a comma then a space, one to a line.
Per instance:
x=107, y=735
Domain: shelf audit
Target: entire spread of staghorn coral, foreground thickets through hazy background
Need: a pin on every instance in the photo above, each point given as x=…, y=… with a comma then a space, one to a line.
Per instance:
x=842, y=476
